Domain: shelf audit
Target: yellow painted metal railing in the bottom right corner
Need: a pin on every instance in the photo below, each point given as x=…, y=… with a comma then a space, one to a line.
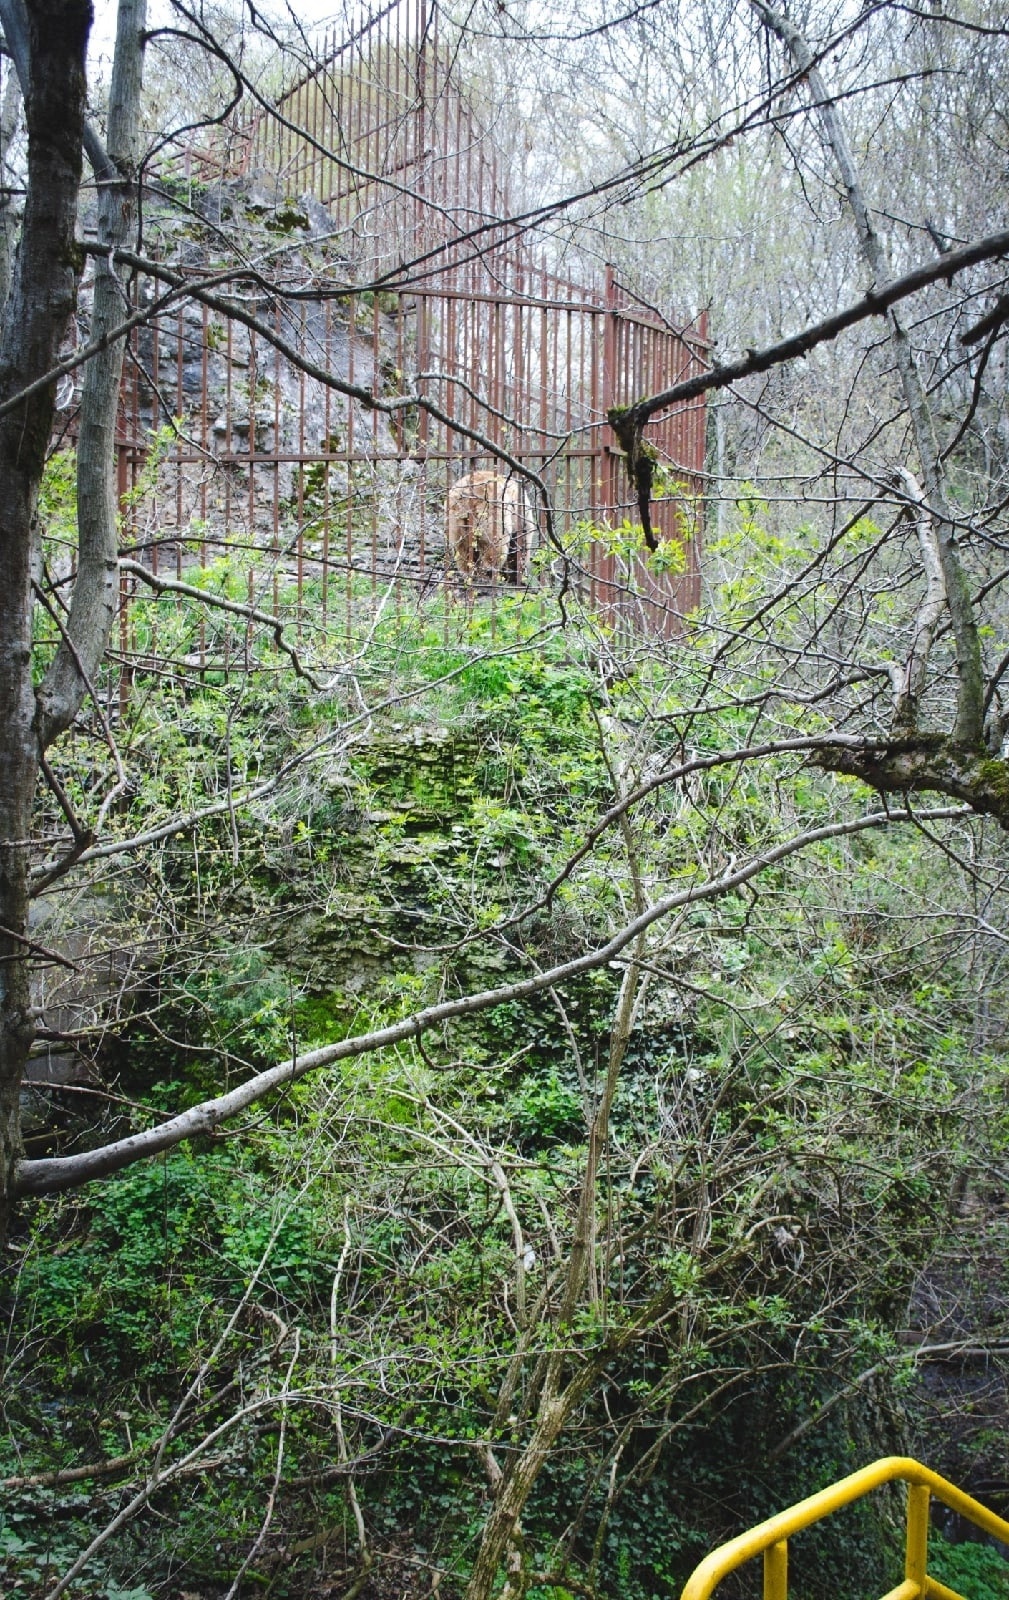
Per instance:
x=772, y=1537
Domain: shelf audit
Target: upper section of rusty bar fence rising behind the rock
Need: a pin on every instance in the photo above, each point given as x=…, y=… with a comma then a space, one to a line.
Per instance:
x=380, y=129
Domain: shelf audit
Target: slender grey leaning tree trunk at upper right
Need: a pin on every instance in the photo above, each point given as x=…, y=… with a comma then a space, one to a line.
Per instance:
x=971, y=692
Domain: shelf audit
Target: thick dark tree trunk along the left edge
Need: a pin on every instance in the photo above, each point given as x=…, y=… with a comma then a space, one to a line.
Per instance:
x=50, y=38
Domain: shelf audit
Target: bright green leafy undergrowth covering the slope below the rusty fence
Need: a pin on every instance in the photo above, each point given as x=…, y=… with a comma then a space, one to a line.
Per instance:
x=794, y=1098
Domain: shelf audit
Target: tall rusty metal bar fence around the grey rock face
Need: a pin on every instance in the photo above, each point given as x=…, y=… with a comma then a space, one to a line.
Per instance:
x=319, y=502
